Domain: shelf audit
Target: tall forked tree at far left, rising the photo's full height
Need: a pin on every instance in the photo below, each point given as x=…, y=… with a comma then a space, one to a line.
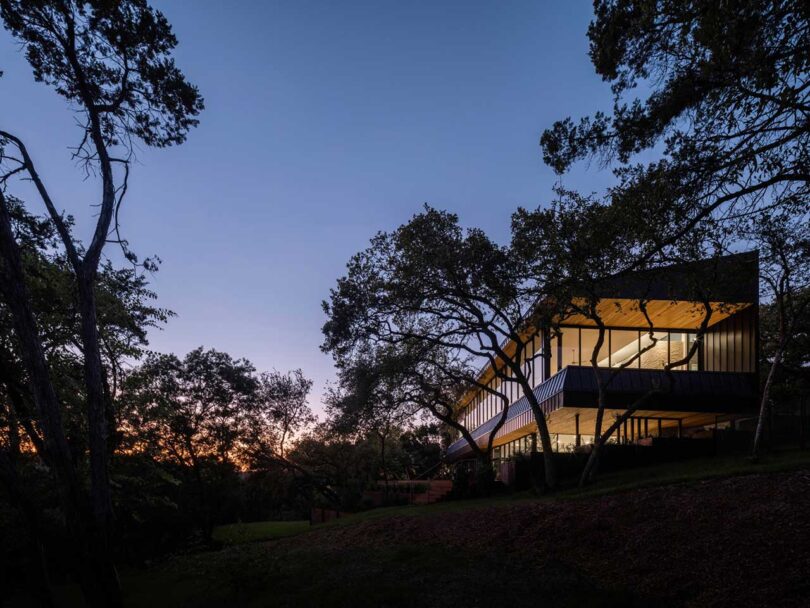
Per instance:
x=111, y=61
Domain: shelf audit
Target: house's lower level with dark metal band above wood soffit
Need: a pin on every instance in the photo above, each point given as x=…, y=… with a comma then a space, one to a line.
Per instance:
x=682, y=404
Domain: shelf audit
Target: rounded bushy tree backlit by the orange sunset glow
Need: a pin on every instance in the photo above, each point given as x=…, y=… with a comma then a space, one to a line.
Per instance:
x=210, y=416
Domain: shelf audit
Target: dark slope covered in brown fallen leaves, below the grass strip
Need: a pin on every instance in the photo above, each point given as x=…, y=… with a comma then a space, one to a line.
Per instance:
x=724, y=542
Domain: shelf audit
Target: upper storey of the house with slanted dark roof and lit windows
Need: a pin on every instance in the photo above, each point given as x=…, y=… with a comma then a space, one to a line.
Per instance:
x=729, y=345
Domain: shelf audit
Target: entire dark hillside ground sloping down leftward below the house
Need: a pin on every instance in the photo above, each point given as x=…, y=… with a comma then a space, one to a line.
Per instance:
x=712, y=532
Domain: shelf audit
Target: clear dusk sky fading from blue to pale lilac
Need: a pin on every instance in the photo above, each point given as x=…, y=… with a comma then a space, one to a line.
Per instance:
x=325, y=122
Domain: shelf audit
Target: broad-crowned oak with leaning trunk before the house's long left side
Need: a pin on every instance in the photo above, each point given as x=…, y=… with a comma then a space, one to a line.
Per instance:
x=453, y=293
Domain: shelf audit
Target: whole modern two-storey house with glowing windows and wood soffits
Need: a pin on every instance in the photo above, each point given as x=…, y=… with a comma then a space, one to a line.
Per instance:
x=717, y=385
